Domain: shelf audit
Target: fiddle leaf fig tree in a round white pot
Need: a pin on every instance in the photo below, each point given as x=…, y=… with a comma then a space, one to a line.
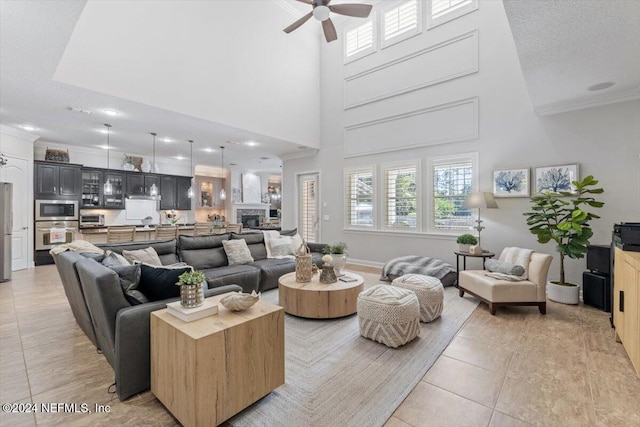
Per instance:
x=564, y=218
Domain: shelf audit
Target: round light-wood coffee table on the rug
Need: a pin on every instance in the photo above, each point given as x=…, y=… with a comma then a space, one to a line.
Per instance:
x=316, y=300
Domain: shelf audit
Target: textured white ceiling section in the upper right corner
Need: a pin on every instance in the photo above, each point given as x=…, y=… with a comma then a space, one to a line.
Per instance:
x=567, y=46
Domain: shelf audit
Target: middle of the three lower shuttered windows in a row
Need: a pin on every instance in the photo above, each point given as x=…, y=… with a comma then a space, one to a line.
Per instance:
x=401, y=196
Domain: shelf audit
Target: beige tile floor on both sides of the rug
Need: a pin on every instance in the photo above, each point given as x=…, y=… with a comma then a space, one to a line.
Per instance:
x=513, y=369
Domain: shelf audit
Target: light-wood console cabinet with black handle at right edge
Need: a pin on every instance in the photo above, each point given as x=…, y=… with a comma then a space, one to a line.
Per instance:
x=626, y=303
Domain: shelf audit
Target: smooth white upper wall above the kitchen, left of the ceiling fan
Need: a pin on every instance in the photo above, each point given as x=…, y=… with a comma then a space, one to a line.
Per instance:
x=225, y=61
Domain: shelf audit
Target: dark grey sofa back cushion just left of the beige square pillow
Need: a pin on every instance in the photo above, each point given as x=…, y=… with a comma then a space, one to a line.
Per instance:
x=203, y=252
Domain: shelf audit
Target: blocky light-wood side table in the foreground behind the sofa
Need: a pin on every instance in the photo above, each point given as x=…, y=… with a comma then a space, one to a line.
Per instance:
x=208, y=370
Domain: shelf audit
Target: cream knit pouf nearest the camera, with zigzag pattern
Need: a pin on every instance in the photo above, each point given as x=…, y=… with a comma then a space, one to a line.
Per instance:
x=389, y=315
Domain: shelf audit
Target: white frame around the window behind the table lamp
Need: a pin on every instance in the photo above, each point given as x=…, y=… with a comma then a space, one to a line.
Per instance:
x=432, y=162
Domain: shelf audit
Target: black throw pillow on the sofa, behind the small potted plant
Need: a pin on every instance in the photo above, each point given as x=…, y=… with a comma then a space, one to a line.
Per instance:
x=158, y=283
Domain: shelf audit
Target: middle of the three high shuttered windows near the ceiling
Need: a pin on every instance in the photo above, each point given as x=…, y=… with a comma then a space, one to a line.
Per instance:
x=401, y=21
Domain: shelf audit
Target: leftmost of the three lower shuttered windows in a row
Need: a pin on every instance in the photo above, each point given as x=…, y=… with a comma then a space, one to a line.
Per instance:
x=360, y=201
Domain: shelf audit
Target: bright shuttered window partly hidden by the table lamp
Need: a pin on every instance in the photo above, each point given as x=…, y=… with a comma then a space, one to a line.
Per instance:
x=452, y=179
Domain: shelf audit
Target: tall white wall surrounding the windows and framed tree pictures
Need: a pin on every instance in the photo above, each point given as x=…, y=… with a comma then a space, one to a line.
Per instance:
x=605, y=141
